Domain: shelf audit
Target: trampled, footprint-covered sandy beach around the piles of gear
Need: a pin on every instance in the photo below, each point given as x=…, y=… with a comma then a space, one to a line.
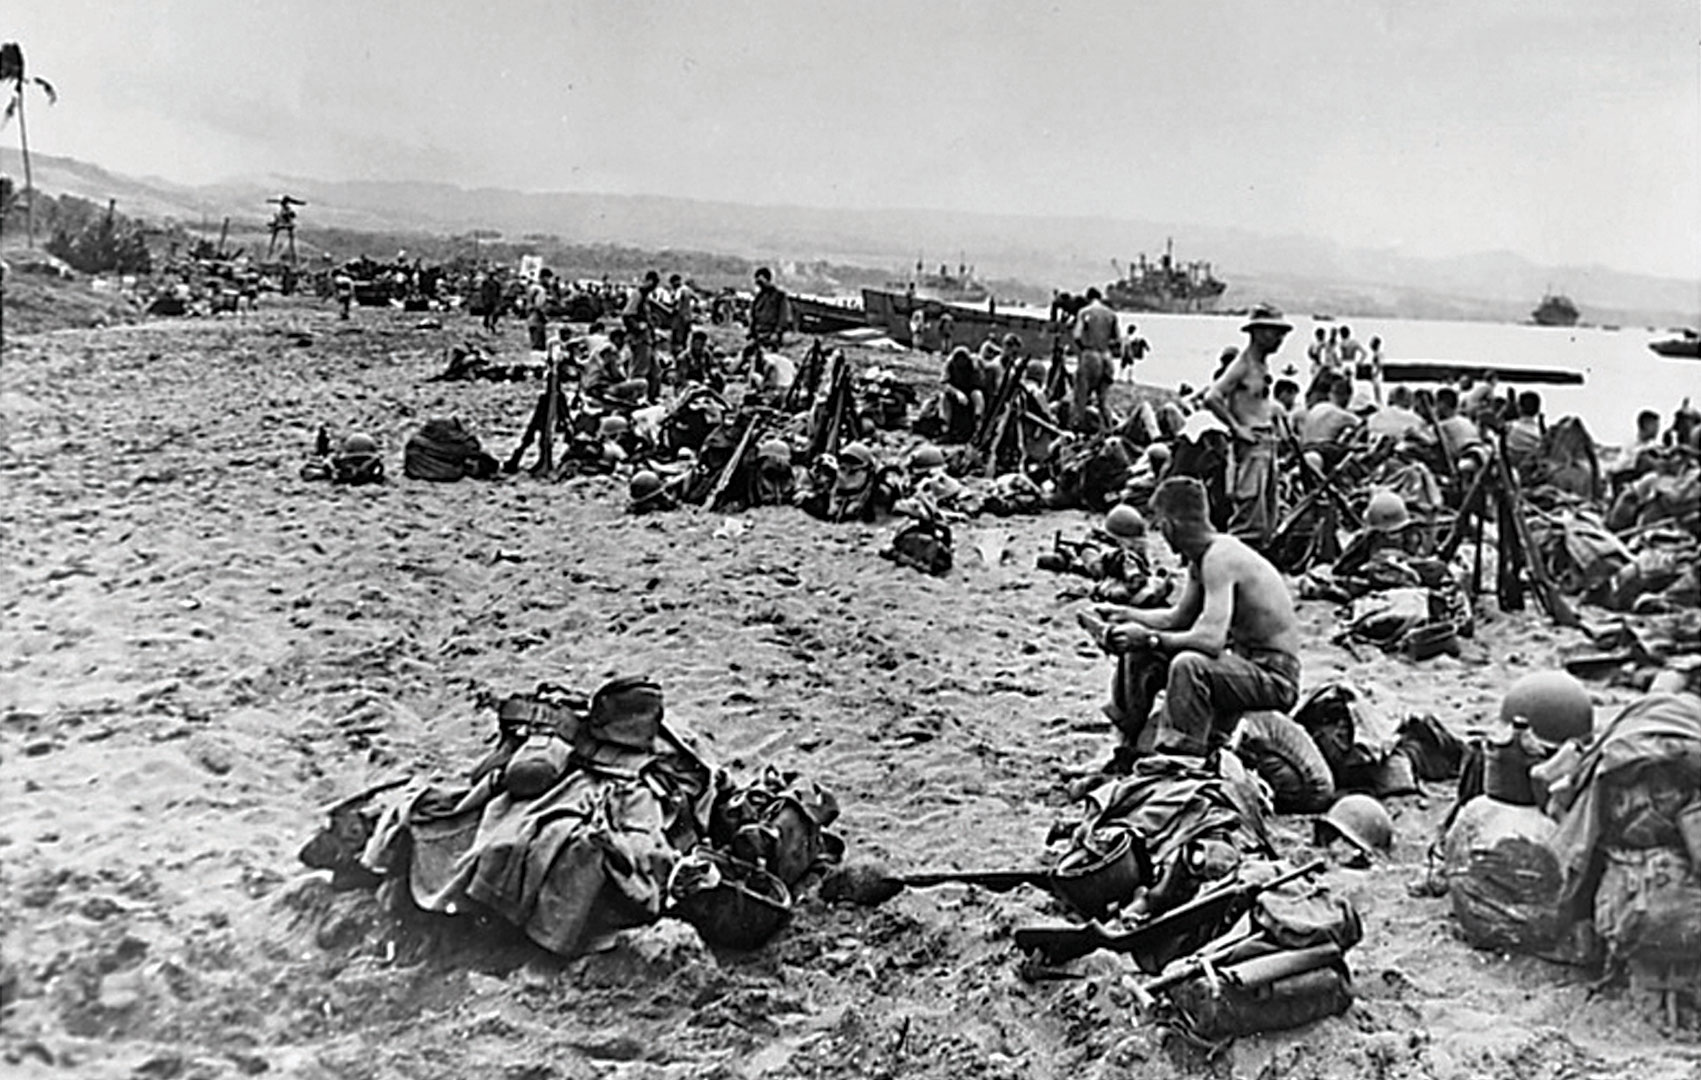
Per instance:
x=202, y=652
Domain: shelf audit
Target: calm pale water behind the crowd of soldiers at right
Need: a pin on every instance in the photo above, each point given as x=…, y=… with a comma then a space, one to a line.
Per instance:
x=1622, y=377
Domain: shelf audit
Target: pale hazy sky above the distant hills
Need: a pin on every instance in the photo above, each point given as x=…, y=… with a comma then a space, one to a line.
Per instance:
x=1564, y=130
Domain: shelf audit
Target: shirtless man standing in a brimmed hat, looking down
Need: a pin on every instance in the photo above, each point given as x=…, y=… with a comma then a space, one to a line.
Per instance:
x=1243, y=401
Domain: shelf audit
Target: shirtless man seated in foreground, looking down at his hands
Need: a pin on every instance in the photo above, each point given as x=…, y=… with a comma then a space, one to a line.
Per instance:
x=1231, y=645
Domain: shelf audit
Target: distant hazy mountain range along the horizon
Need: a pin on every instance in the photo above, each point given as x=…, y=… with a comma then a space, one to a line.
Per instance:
x=1299, y=273
